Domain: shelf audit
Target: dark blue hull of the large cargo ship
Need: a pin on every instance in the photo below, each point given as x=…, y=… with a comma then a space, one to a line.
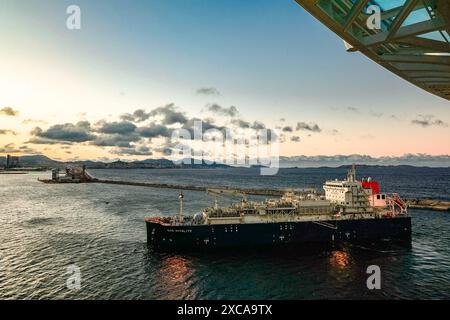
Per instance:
x=283, y=233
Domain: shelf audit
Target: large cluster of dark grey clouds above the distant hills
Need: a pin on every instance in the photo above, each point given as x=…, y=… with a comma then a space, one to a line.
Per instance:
x=128, y=135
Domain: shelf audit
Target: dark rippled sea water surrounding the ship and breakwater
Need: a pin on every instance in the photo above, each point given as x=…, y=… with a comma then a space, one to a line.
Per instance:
x=99, y=228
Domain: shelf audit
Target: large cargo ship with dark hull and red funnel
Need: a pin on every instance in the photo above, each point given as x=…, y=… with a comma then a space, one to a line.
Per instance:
x=349, y=210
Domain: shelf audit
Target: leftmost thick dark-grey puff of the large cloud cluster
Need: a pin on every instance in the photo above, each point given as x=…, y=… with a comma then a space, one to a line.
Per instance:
x=68, y=132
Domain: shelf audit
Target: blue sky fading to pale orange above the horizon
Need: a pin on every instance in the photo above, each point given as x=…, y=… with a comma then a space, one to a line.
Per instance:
x=73, y=94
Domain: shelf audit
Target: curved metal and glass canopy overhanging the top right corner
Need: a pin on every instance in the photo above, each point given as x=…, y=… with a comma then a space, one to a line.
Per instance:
x=412, y=41
